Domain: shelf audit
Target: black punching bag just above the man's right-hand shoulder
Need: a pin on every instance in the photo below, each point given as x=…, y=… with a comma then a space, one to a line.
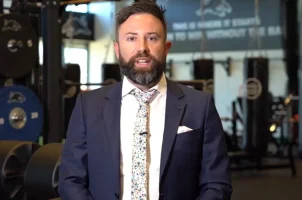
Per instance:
x=203, y=69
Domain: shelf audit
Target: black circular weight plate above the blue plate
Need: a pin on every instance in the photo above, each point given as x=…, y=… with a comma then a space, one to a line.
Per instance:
x=18, y=46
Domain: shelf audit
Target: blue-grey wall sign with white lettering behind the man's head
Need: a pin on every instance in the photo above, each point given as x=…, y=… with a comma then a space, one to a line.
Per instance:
x=226, y=25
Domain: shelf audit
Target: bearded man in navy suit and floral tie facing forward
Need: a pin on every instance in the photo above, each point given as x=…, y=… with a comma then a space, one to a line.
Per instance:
x=146, y=137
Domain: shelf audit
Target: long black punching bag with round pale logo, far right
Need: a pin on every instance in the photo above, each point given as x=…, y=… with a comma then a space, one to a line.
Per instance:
x=256, y=105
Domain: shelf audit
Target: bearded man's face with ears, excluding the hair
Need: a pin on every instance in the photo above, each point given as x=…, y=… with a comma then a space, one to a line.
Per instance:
x=142, y=49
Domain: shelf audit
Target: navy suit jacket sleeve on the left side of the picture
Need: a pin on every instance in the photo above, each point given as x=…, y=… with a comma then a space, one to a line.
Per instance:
x=73, y=178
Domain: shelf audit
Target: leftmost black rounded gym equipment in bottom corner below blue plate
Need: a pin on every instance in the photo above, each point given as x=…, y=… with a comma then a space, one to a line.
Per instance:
x=14, y=156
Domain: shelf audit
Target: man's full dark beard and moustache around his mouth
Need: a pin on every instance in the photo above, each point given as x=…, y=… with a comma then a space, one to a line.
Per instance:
x=143, y=77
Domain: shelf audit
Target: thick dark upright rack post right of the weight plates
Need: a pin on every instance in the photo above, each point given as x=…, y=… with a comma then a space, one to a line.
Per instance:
x=52, y=62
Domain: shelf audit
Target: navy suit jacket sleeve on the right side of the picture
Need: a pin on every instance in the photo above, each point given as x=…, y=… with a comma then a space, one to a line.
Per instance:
x=215, y=174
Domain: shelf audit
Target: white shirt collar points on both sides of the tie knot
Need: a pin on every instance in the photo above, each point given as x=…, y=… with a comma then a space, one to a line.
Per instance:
x=161, y=86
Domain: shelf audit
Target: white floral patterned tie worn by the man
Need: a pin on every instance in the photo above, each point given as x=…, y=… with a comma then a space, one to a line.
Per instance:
x=139, y=148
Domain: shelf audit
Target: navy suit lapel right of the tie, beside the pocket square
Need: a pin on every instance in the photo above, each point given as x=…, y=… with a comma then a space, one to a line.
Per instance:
x=175, y=108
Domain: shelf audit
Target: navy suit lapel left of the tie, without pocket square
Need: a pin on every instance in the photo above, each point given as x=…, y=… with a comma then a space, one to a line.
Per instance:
x=112, y=122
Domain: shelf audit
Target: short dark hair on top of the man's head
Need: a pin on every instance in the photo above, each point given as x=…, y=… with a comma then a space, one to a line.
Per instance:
x=143, y=6
